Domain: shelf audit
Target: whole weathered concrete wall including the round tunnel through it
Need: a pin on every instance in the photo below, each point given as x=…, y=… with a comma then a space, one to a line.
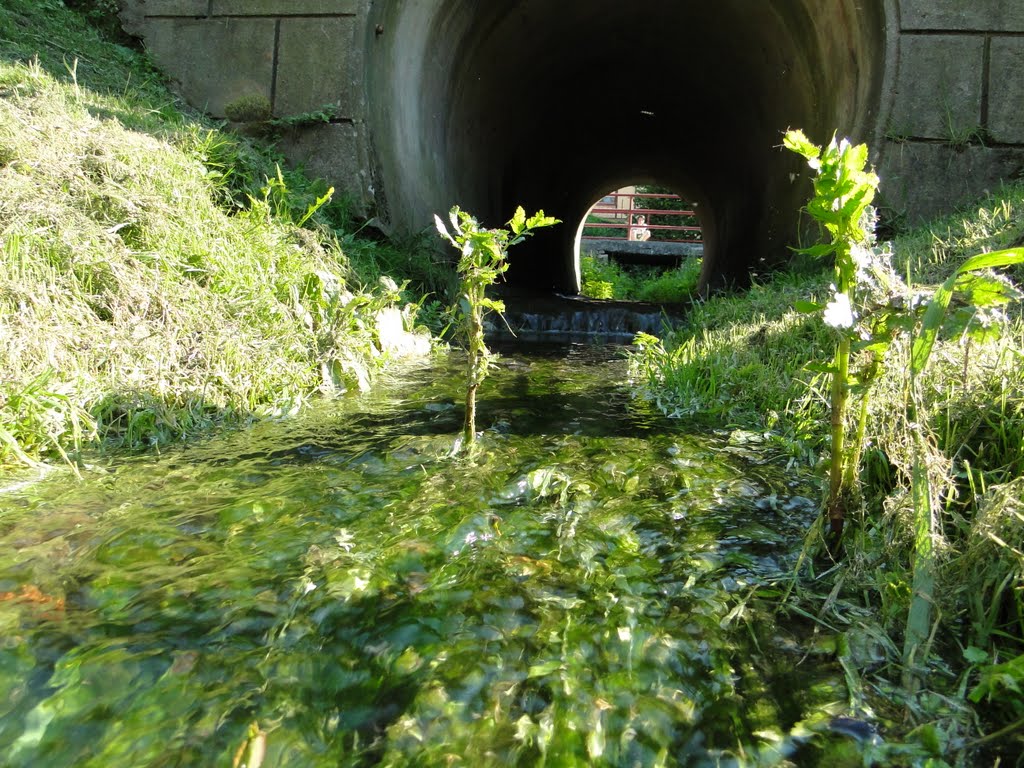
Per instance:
x=496, y=104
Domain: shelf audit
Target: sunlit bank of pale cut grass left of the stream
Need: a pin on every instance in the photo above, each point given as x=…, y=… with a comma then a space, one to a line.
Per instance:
x=160, y=276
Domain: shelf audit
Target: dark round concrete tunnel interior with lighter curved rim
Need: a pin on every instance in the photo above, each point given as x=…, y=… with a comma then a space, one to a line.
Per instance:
x=552, y=104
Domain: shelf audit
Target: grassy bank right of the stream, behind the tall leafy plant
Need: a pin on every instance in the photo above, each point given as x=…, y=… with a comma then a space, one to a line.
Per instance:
x=756, y=361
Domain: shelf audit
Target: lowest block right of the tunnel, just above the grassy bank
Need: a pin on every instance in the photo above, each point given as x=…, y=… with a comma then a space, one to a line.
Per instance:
x=922, y=181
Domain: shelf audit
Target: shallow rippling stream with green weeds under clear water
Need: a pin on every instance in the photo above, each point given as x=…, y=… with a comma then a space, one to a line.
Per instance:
x=338, y=590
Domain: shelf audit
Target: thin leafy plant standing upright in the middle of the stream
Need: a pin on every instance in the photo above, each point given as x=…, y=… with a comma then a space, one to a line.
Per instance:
x=484, y=260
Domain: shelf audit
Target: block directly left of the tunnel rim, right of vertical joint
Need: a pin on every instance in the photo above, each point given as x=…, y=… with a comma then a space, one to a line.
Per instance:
x=315, y=66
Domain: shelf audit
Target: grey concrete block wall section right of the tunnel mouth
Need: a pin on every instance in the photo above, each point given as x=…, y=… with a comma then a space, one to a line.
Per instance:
x=955, y=125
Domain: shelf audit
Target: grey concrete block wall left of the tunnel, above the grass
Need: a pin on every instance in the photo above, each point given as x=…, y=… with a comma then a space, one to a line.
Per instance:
x=304, y=56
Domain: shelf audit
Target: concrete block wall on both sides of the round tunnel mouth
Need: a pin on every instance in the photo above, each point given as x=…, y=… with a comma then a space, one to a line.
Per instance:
x=950, y=127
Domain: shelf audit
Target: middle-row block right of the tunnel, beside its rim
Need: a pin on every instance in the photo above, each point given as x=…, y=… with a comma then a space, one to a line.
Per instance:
x=938, y=92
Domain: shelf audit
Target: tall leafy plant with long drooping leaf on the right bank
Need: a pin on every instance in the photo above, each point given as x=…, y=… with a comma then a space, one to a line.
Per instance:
x=843, y=194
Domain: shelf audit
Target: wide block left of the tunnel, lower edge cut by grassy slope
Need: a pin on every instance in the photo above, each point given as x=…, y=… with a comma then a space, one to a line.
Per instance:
x=216, y=62
